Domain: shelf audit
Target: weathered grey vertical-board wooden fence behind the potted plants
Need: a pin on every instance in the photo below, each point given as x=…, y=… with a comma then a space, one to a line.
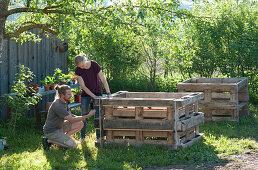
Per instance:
x=42, y=58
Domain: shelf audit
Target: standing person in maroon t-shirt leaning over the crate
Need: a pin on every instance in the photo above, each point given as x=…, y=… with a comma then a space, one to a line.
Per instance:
x=89, y=73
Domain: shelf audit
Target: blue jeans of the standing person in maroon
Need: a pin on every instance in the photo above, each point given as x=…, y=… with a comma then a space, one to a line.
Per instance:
x=85, y=104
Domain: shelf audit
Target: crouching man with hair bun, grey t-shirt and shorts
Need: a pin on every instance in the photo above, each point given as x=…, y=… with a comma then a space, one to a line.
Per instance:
x=60, y=123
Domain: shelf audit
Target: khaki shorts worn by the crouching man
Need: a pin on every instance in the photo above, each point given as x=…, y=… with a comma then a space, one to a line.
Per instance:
x=59, y=135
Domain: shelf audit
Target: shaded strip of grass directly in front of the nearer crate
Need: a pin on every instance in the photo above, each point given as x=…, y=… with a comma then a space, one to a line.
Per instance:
x=118, y=156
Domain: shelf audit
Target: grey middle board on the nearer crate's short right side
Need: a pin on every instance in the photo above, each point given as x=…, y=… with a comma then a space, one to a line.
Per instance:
x=192, y=121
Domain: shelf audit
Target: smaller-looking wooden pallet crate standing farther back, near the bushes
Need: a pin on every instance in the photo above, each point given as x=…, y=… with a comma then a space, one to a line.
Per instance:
x=224, y=98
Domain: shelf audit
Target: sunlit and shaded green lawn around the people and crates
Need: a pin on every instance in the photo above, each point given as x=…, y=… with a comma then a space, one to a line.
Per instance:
x=221, y=139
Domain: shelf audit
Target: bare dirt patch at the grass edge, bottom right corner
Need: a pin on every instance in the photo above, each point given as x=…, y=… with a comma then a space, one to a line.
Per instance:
x=243, y=161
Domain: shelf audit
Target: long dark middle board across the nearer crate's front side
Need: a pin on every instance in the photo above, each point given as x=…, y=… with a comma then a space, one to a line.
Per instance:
x=145, y=124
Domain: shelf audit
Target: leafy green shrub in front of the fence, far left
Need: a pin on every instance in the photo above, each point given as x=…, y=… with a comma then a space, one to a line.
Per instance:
x=20, y=100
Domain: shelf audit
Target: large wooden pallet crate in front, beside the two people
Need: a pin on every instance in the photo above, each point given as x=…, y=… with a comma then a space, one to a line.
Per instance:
x=168, y=119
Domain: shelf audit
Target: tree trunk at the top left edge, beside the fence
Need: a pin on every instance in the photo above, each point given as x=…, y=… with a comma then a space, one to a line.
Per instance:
x=3, y=9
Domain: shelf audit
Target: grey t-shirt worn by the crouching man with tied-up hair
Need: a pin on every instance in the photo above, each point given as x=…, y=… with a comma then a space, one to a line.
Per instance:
x=55, y=118
